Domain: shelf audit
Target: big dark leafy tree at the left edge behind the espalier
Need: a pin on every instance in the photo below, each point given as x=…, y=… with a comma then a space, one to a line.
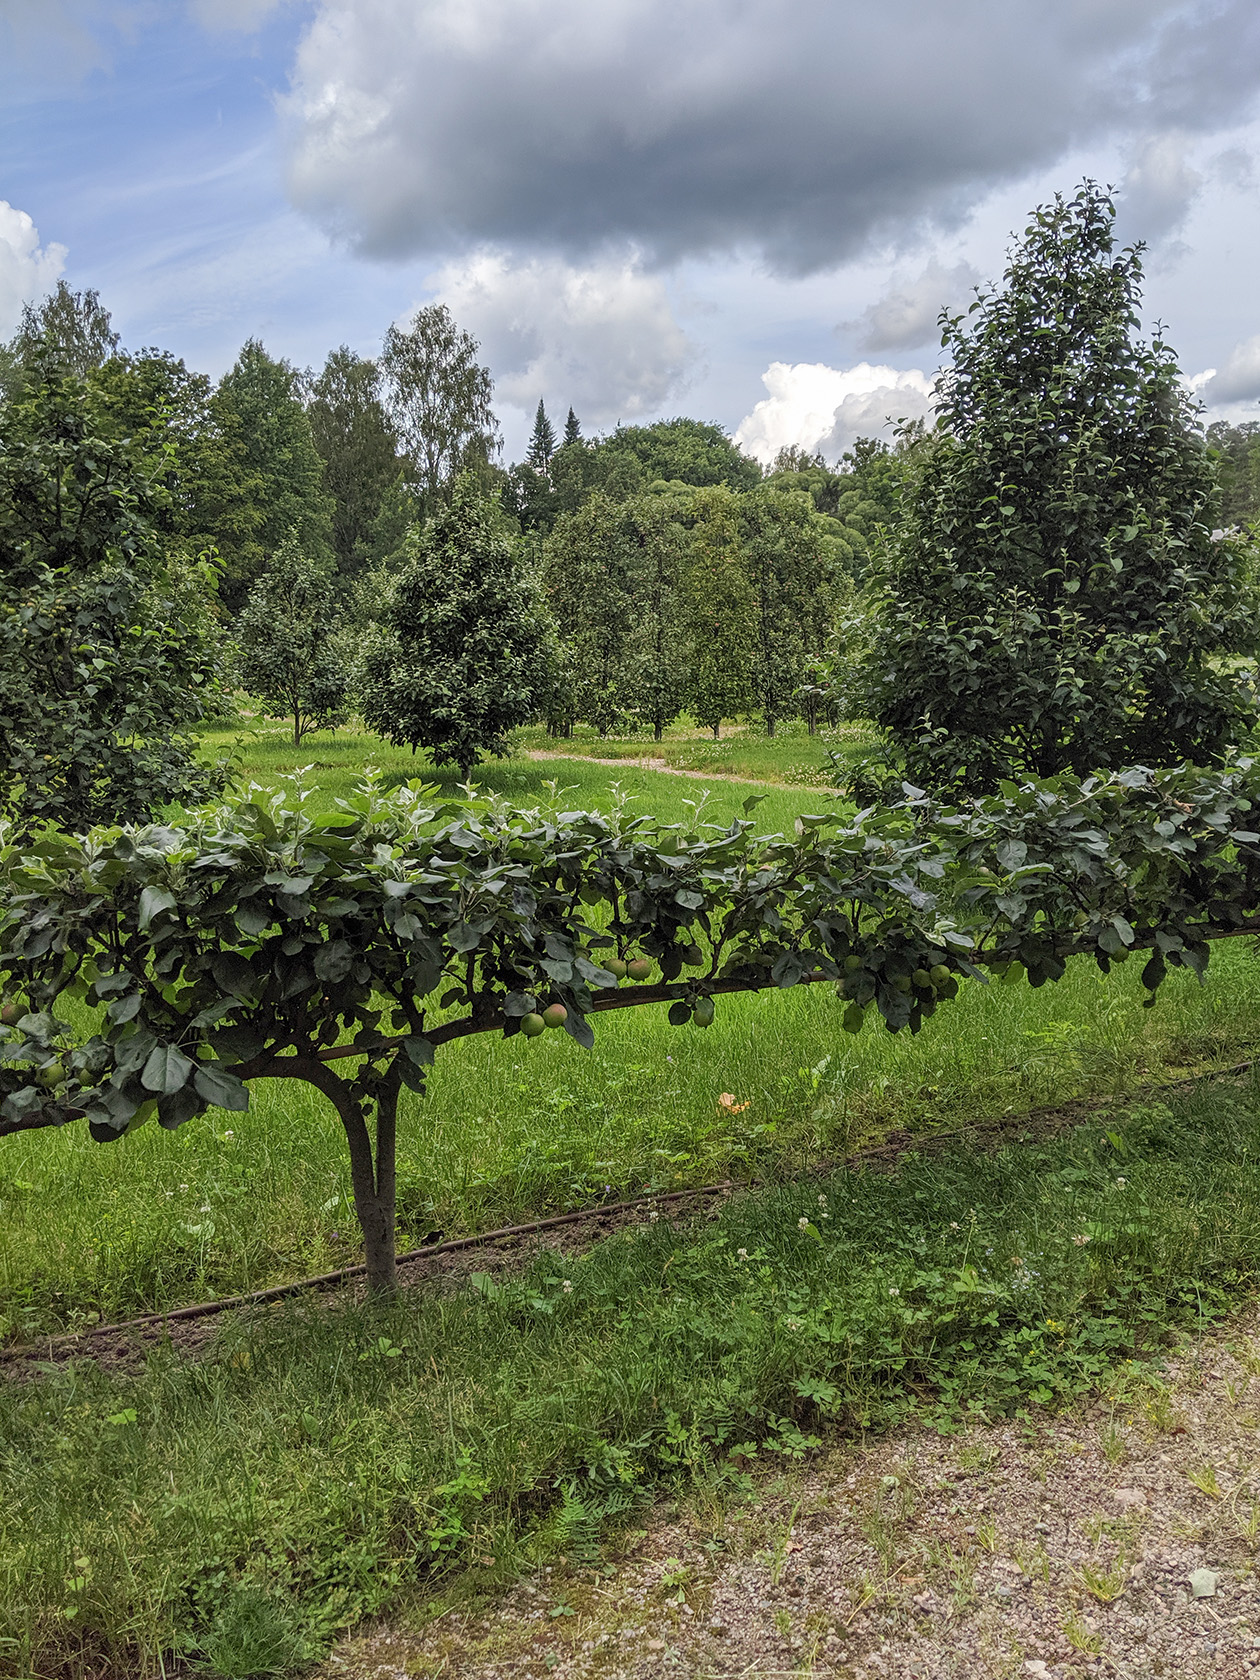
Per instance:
x=100, y=673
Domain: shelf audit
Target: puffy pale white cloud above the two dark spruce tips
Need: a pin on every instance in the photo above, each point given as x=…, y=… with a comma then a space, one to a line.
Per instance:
x=601, y=339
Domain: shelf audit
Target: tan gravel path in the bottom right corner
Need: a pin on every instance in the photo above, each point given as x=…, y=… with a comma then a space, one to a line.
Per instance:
x=1115, y=1540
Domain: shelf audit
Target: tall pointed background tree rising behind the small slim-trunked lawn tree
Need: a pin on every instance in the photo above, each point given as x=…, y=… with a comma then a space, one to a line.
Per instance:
x=273, y=480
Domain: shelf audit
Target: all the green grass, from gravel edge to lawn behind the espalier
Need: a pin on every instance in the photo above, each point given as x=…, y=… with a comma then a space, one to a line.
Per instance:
x=328, y=1461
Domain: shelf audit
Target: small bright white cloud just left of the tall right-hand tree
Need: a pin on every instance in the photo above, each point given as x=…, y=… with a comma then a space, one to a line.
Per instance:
x=827, y=409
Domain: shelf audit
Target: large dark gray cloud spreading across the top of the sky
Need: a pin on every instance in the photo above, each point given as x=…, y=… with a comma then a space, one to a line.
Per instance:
x=794, y=132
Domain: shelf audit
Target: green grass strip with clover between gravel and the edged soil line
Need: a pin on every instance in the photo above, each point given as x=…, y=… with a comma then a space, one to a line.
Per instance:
x=330, y=1462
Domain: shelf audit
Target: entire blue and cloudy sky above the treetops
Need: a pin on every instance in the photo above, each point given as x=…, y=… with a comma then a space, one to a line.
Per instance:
x=748, y=211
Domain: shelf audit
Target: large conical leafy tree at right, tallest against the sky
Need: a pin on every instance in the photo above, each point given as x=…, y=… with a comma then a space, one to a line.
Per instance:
x=1053, y=597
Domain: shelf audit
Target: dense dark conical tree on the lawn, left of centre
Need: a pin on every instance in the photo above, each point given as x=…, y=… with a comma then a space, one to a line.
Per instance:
x=463, y=656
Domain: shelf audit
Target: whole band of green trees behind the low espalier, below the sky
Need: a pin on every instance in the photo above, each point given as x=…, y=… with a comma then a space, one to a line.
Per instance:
x=1056, y=575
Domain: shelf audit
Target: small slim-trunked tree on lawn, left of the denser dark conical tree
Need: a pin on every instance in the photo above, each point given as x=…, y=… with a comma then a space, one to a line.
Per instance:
x=291, y=656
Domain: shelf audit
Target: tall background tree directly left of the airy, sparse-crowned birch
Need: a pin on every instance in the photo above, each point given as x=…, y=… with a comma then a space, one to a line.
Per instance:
x=359, y=449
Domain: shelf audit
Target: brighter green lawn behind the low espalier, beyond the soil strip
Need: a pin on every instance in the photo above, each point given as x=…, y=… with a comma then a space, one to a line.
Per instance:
x=522, y=1128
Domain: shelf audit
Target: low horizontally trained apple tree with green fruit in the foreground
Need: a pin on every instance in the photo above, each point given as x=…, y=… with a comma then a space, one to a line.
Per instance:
x=159, y=972
